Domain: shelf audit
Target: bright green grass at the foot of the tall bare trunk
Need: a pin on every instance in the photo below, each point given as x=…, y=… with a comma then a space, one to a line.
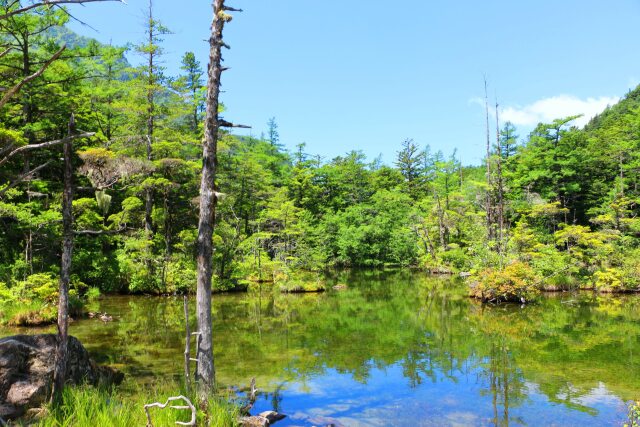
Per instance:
x=88, y=406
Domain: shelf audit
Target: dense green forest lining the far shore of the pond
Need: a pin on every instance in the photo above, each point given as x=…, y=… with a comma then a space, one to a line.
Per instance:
x=553, y=210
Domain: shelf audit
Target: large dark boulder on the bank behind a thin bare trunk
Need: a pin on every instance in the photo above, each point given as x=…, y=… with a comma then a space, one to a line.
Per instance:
x=26, y=371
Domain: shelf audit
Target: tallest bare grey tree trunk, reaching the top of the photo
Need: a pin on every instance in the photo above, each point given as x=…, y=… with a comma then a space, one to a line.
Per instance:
x=205, y=375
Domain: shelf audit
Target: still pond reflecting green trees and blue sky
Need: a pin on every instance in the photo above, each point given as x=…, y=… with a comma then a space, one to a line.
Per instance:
x=396, y=348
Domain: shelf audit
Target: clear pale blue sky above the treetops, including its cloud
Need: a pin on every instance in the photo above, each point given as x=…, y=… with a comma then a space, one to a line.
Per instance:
x=367, y=74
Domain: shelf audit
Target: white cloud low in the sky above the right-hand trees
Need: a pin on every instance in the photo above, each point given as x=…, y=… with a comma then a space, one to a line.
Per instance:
x=548, y=109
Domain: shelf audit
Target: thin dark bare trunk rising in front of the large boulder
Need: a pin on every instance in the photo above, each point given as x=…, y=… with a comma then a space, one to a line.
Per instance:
x=65, y=270
